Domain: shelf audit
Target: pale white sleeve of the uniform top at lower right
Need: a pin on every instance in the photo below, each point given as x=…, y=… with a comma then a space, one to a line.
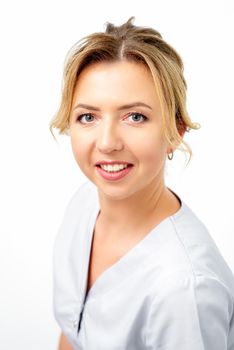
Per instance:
x=189, y=313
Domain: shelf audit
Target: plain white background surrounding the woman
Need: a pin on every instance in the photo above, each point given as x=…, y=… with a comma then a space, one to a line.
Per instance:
x=38, y=175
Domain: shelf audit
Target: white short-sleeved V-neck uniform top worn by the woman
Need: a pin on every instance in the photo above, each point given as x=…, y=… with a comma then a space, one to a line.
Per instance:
x=172, y=290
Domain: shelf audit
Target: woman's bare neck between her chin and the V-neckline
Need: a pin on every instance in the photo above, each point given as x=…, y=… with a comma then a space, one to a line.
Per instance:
x=131, y=214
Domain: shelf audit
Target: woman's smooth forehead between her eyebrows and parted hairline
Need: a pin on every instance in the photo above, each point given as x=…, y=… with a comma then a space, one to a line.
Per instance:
x=115, y=82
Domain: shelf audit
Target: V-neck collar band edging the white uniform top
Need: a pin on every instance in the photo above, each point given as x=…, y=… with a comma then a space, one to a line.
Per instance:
x=131, y=260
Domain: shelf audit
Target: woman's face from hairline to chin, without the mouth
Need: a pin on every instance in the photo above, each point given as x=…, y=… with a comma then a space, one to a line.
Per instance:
x=105, y=130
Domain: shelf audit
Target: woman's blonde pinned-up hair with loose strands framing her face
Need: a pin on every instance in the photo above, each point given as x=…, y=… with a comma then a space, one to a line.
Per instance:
x=142, y=45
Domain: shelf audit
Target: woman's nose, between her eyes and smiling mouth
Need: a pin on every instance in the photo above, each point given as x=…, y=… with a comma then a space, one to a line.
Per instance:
x=109, y=138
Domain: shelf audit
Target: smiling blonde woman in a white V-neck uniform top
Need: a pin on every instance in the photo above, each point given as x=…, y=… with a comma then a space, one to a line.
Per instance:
x=134, y=267
